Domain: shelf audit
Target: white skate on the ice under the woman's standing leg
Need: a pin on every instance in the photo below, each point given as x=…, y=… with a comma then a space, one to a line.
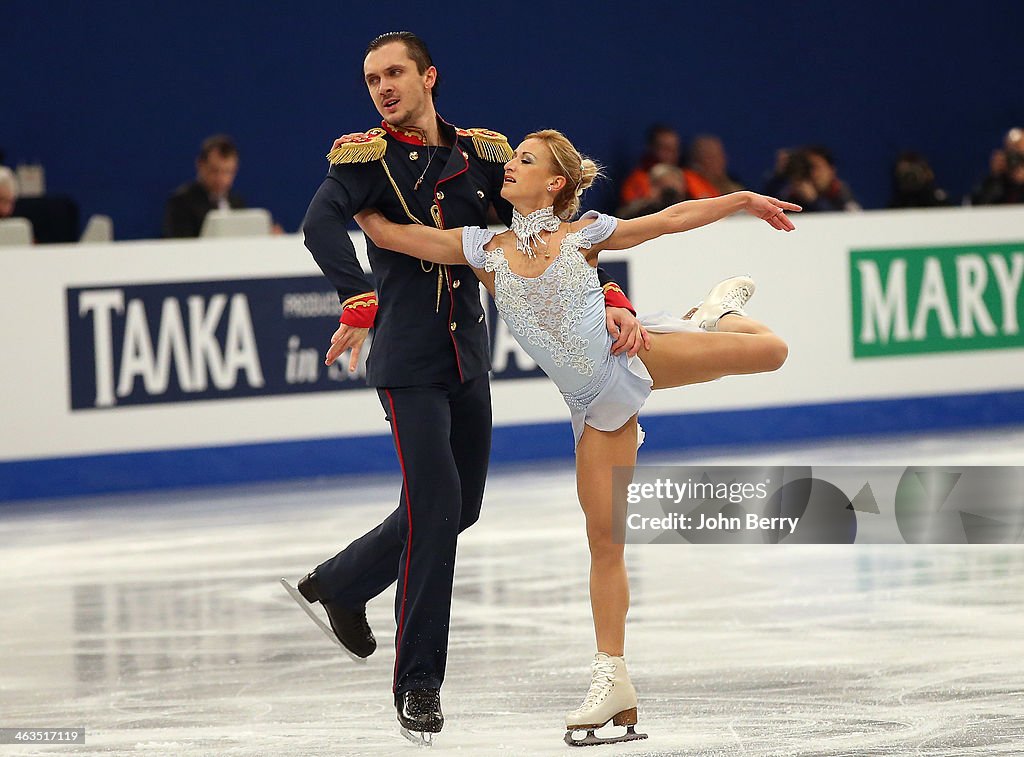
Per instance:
x=612, y=697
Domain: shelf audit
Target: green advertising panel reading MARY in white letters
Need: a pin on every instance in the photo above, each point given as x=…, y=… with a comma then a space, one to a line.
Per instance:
x=936, y=300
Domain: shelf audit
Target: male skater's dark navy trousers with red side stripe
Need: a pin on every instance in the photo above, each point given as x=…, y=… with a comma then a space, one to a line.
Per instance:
x=443, y=439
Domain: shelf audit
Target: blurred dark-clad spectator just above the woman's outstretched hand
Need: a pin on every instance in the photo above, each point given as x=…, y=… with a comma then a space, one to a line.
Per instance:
x=807, y=177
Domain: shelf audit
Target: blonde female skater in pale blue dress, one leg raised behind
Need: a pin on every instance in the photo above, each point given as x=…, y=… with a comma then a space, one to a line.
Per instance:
x=543, y=277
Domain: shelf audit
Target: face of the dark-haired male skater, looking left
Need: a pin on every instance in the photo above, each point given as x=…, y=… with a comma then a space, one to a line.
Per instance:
x=400, y=93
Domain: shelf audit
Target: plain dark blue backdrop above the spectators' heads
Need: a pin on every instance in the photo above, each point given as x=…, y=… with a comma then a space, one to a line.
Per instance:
x=114, y=99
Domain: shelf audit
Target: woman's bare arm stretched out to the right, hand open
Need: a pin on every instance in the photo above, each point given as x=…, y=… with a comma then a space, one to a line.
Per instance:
x=695, y=214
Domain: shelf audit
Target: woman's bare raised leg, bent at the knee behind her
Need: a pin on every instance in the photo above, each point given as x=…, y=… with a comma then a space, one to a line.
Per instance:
x=741, y=346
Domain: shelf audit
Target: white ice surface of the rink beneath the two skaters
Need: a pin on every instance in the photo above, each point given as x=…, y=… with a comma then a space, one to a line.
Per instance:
x=157, y=622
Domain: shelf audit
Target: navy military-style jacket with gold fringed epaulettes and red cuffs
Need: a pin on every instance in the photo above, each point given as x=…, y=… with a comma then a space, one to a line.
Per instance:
x=428, y=319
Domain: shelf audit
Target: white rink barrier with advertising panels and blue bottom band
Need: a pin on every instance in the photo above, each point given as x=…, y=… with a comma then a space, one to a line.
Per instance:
x=137, y=366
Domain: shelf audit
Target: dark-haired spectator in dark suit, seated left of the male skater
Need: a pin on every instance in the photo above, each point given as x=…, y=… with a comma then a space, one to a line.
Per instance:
x=216, y=171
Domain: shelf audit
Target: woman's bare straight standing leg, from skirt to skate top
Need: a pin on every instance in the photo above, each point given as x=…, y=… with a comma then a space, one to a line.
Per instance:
x=598, y=454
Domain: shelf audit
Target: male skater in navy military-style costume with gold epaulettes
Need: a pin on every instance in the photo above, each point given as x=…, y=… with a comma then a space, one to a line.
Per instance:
x=430, y=361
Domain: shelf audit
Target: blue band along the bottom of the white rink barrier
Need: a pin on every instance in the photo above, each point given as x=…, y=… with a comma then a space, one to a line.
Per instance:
x=268, y=462
